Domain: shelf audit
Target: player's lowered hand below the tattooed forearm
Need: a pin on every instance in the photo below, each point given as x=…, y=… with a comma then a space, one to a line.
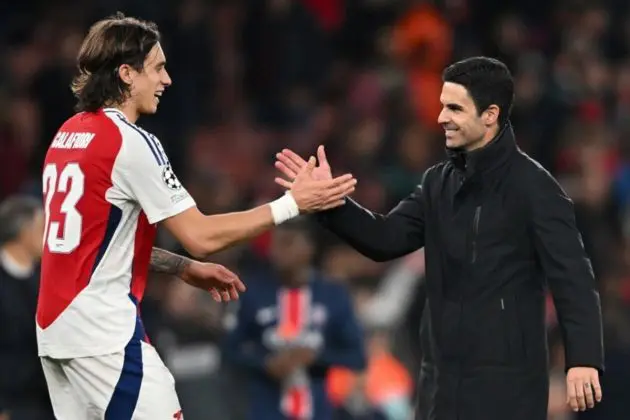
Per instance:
x=222, y=284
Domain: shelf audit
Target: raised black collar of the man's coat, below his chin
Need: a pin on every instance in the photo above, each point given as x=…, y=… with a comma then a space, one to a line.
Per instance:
x=487, y=158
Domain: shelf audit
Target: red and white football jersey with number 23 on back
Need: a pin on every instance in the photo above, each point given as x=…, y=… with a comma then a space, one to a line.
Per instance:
x=106, y=184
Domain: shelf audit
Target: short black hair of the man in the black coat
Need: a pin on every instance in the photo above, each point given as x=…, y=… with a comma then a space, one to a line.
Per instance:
x=488, y=82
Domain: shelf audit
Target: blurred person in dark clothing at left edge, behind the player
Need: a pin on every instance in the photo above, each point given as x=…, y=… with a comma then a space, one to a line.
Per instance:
x=23, y=391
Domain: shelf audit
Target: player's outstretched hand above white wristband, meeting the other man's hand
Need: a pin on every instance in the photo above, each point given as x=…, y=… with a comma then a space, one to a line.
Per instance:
x=313, y=194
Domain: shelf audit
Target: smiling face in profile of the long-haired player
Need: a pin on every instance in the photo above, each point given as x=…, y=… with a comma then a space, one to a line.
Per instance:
x=148, y=85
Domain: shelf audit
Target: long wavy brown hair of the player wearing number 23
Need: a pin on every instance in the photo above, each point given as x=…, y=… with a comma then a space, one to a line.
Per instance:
x=110, y=43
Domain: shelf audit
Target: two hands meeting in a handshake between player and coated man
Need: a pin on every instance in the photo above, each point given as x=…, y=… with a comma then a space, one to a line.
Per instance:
x=312, y=186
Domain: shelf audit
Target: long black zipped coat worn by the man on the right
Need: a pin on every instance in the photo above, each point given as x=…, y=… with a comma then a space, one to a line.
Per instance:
x=497, y=229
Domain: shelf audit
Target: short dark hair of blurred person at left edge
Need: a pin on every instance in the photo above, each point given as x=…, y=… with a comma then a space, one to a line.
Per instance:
x=15, y=213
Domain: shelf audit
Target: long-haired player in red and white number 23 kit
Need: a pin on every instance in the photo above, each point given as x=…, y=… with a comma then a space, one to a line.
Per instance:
x=107, y=184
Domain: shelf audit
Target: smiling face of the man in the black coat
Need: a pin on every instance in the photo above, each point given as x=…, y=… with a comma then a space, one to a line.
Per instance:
x=463, y=127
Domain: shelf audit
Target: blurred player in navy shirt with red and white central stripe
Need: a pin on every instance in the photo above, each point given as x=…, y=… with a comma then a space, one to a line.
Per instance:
x=291, y=327
